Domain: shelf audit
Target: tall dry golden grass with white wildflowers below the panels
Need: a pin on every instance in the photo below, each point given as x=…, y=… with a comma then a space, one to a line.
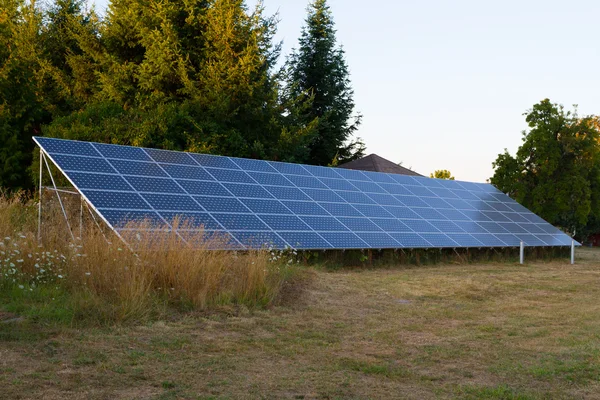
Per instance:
x=106, y=281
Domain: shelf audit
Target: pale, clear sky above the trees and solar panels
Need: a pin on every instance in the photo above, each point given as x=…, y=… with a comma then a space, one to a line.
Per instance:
x=443, y=84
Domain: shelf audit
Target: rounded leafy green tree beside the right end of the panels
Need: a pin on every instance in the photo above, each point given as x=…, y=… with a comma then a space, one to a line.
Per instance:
x=556, y=171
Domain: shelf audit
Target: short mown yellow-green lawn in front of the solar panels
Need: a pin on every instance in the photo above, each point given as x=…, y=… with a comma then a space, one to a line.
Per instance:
x=496, y=331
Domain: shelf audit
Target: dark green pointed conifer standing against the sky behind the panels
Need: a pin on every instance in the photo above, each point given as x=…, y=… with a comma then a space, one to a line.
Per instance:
x=318, y=68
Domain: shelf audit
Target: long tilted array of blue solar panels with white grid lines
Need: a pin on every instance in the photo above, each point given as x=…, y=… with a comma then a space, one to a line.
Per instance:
x=256, y=203
